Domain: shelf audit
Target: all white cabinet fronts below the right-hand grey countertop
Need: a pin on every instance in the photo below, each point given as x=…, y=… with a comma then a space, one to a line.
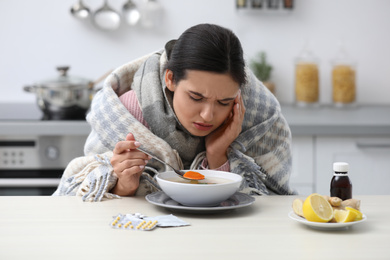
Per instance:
x=368, y=157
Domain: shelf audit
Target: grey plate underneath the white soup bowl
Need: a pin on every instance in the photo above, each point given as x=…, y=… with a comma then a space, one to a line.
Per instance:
x=238, y=200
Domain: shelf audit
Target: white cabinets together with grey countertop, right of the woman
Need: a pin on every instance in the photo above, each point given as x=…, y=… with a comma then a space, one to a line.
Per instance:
x=358, y=135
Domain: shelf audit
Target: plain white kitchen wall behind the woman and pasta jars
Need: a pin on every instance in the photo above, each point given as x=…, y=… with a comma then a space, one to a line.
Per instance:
x=38, y=35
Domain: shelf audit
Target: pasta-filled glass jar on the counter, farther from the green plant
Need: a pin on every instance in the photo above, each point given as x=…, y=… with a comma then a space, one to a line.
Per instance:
x=343, y=79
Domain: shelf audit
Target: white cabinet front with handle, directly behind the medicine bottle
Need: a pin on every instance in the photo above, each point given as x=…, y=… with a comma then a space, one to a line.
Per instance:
x=368, y=157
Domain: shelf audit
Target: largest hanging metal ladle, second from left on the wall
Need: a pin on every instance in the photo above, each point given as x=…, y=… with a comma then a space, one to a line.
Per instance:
x=107, y=18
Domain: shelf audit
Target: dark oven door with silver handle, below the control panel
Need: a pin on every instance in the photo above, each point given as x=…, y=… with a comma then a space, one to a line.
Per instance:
x=29, y=182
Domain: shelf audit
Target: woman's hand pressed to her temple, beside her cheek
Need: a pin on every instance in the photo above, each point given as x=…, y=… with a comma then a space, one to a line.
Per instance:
x=219, y=141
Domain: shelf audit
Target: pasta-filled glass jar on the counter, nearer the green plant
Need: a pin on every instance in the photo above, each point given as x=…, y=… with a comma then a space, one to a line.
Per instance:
x=306, y=79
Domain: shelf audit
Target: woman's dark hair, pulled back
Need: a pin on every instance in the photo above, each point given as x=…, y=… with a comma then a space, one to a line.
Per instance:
x=206, y=47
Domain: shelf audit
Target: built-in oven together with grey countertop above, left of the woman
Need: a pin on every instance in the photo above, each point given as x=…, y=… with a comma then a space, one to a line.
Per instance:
x=34, y=152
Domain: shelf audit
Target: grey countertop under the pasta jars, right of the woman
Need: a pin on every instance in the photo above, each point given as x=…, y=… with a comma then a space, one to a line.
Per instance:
x=329, y=120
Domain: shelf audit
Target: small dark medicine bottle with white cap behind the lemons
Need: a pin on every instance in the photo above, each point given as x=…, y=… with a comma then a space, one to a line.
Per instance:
x=341, y=185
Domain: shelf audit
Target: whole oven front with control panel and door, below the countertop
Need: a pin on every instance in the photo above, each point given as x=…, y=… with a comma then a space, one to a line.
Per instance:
x=33, y=165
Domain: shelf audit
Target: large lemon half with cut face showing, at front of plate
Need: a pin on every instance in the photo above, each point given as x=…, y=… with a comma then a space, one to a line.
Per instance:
x=317, y=209
